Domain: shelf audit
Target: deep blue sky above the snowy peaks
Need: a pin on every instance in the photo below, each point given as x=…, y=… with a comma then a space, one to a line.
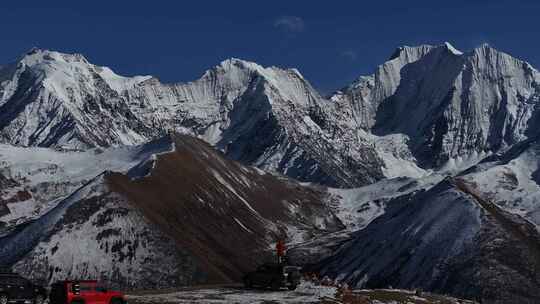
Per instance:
x=330, y=42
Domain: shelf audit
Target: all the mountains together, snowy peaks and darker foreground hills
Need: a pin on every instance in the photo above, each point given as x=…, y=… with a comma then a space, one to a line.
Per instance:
x=429, y=167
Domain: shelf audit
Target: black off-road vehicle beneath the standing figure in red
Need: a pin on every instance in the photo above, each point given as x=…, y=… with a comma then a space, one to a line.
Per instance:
x=274, y=276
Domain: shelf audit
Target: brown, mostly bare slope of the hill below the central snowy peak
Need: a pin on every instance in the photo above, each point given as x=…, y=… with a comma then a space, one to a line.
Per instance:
x=198, y=198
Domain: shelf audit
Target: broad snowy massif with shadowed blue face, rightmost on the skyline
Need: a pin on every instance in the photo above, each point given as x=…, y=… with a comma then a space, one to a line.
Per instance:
x=457, y=105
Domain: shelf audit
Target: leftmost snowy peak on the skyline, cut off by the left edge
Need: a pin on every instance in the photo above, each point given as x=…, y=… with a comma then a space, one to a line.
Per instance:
x=53, y=99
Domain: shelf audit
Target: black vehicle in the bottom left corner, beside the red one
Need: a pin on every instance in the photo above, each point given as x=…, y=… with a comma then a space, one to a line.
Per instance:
x=16, y=289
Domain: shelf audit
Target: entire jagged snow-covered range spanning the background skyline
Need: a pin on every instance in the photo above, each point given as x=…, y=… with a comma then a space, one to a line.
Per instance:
x=458, y=105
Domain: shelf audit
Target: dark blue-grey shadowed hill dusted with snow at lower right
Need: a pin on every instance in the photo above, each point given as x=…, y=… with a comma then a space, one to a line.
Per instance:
x=445, y=241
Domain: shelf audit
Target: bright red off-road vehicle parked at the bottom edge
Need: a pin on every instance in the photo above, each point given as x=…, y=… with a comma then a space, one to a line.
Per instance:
x=84, y=292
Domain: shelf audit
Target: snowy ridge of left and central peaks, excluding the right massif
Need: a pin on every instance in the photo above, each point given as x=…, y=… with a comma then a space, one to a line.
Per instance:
x=261, y=116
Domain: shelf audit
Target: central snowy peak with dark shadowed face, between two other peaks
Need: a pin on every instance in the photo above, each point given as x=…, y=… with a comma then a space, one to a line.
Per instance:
x=268, y=117
